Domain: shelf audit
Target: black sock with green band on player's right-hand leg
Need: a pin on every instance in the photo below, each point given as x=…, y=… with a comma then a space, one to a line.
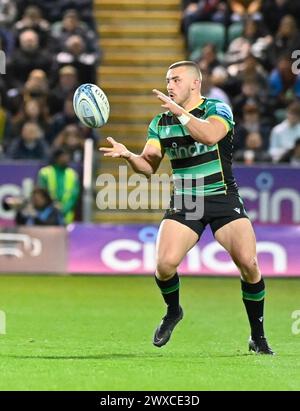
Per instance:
x=253, y=298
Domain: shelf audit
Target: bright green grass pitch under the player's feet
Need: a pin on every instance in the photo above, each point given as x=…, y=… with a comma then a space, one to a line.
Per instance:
x=95, y=333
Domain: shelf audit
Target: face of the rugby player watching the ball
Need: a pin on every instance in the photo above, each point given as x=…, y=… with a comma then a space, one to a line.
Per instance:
x=180, y=83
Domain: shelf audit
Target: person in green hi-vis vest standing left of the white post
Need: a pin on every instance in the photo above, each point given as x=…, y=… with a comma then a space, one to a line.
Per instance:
x=62, y=182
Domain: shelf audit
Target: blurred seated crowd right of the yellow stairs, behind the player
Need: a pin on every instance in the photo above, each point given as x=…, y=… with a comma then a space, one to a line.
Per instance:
x=254, y=70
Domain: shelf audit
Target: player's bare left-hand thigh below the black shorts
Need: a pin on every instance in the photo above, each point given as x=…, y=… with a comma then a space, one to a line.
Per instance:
x=173, y=242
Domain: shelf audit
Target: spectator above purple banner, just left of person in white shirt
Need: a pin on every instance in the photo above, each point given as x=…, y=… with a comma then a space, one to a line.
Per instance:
x=253, y=151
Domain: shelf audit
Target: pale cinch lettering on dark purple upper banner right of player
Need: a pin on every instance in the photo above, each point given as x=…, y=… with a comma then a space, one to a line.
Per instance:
x=270, y=204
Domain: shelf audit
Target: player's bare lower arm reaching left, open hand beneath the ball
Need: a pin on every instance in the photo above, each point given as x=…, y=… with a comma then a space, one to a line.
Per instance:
x=145, y=163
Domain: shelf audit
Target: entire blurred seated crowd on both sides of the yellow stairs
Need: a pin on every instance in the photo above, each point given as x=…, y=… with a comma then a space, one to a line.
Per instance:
x=52, y=47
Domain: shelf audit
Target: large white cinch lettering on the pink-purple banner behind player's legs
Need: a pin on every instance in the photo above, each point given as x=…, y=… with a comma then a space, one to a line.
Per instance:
x=141, y=255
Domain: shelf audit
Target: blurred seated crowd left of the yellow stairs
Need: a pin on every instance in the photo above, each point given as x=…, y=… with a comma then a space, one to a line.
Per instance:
x=51, y=47
